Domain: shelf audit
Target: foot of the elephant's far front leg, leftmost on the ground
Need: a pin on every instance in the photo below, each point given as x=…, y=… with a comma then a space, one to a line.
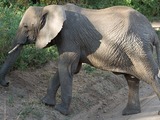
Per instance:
x=47, y=100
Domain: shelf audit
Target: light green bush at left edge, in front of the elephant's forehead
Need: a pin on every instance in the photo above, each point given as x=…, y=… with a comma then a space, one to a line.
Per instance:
x=9, y=20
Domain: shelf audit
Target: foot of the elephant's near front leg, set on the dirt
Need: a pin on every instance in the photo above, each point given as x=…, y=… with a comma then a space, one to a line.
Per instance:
x=62, y=109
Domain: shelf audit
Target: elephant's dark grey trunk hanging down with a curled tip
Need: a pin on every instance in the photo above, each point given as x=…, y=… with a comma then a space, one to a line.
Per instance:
x=12, y=57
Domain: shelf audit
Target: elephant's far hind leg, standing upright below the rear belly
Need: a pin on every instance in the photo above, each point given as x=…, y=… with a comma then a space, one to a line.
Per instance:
x=133, y=105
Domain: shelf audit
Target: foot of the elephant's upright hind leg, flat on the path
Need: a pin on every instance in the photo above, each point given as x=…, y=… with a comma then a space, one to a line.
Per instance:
x=131, y=110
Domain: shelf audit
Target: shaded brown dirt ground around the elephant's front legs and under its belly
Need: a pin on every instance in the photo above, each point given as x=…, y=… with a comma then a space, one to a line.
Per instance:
x=94, y=94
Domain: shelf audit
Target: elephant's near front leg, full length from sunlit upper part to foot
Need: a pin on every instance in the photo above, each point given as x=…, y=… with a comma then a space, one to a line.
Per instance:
x=66, y=68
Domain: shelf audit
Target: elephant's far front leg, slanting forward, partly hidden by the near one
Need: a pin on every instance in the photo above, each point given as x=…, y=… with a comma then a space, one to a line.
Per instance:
x=54, y=84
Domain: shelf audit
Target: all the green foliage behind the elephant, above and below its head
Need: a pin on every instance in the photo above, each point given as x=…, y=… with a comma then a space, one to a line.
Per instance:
x=11, y=12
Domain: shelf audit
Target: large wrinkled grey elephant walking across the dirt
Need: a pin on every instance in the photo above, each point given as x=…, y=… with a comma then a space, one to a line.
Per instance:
x=117, y=39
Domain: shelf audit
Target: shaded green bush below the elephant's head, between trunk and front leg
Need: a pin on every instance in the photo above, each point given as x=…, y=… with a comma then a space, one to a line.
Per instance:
x=35, y=58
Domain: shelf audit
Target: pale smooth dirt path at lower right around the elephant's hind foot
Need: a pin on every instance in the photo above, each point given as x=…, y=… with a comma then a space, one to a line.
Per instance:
x=150, y=105
